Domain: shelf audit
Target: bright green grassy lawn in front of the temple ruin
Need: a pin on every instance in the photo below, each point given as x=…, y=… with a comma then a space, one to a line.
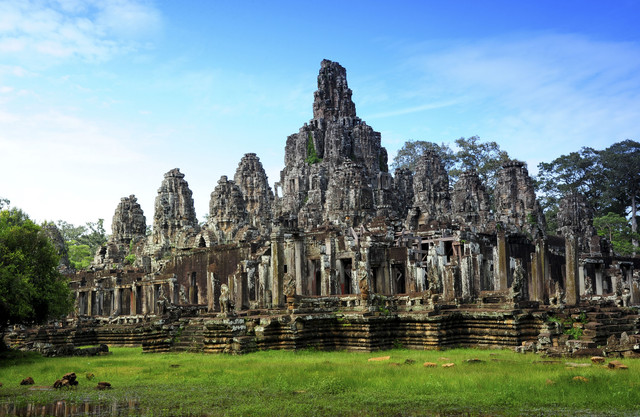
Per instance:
x=311, y=383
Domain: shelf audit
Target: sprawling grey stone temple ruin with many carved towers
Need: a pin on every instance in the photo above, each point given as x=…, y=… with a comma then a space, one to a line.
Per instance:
x=345, y=255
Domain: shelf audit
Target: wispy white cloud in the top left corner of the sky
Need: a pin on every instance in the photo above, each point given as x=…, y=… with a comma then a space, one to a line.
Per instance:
x=92, y=30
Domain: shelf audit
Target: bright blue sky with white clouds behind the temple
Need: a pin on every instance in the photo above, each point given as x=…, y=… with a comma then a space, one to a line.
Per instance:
x=98, y=99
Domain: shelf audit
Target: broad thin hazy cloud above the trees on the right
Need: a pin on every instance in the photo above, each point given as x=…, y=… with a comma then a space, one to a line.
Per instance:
x=539, y=94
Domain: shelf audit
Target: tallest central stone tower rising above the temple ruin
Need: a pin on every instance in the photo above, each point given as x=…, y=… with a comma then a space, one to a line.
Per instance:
x=335, y=165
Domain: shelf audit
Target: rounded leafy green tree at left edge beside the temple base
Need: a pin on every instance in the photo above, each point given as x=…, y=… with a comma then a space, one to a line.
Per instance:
x=31, y=288
